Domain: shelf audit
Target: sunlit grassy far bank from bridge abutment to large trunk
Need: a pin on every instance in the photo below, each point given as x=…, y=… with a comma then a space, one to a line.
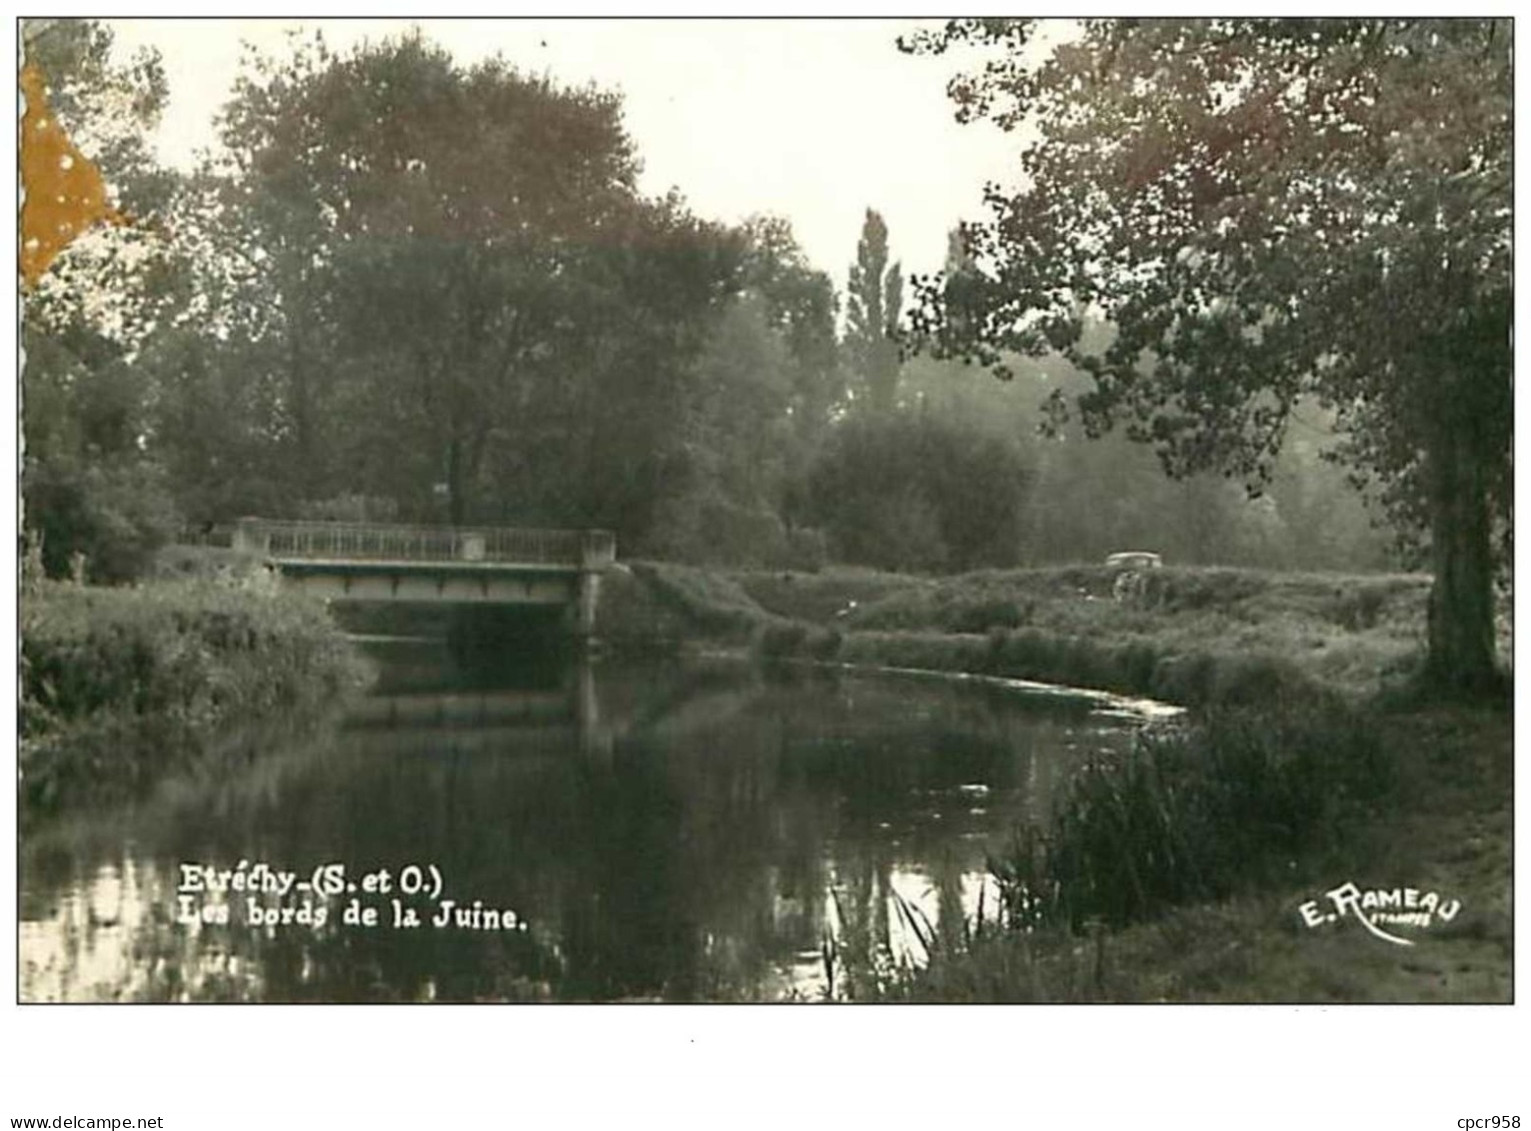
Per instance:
x=1187, y=636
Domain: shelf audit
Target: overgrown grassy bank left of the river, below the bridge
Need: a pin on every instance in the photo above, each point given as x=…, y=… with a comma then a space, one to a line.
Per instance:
x=120, y=686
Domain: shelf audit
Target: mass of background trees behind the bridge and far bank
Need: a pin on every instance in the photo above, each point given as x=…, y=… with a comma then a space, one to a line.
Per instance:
x=411, y=290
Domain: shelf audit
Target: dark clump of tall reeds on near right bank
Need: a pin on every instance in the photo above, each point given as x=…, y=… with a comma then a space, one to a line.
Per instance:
x=1200, y=813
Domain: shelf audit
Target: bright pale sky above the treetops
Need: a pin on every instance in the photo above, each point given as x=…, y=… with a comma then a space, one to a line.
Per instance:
x=811, y=120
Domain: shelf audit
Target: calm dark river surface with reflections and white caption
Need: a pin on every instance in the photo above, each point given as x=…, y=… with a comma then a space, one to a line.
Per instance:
x=581, y=833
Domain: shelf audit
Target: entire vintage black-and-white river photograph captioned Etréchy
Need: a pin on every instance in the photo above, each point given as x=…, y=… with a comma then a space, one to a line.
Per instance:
x=766, y=512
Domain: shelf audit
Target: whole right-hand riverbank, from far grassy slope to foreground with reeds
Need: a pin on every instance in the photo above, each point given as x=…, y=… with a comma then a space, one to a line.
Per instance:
x=1316, y=660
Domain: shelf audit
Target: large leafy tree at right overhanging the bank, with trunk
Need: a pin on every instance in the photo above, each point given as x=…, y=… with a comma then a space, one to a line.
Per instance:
x=1265, y=210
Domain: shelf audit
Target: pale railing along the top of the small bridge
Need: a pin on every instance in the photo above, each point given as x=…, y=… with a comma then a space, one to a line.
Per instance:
x=391, y=543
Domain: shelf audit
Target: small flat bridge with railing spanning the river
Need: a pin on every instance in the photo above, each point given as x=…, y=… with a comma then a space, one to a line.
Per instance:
x=384, y=562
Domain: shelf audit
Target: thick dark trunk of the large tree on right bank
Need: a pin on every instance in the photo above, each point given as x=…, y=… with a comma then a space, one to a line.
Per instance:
x=1461, y=657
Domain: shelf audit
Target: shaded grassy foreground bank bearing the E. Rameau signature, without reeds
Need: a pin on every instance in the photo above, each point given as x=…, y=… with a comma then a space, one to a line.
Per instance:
x=1444, y=835
